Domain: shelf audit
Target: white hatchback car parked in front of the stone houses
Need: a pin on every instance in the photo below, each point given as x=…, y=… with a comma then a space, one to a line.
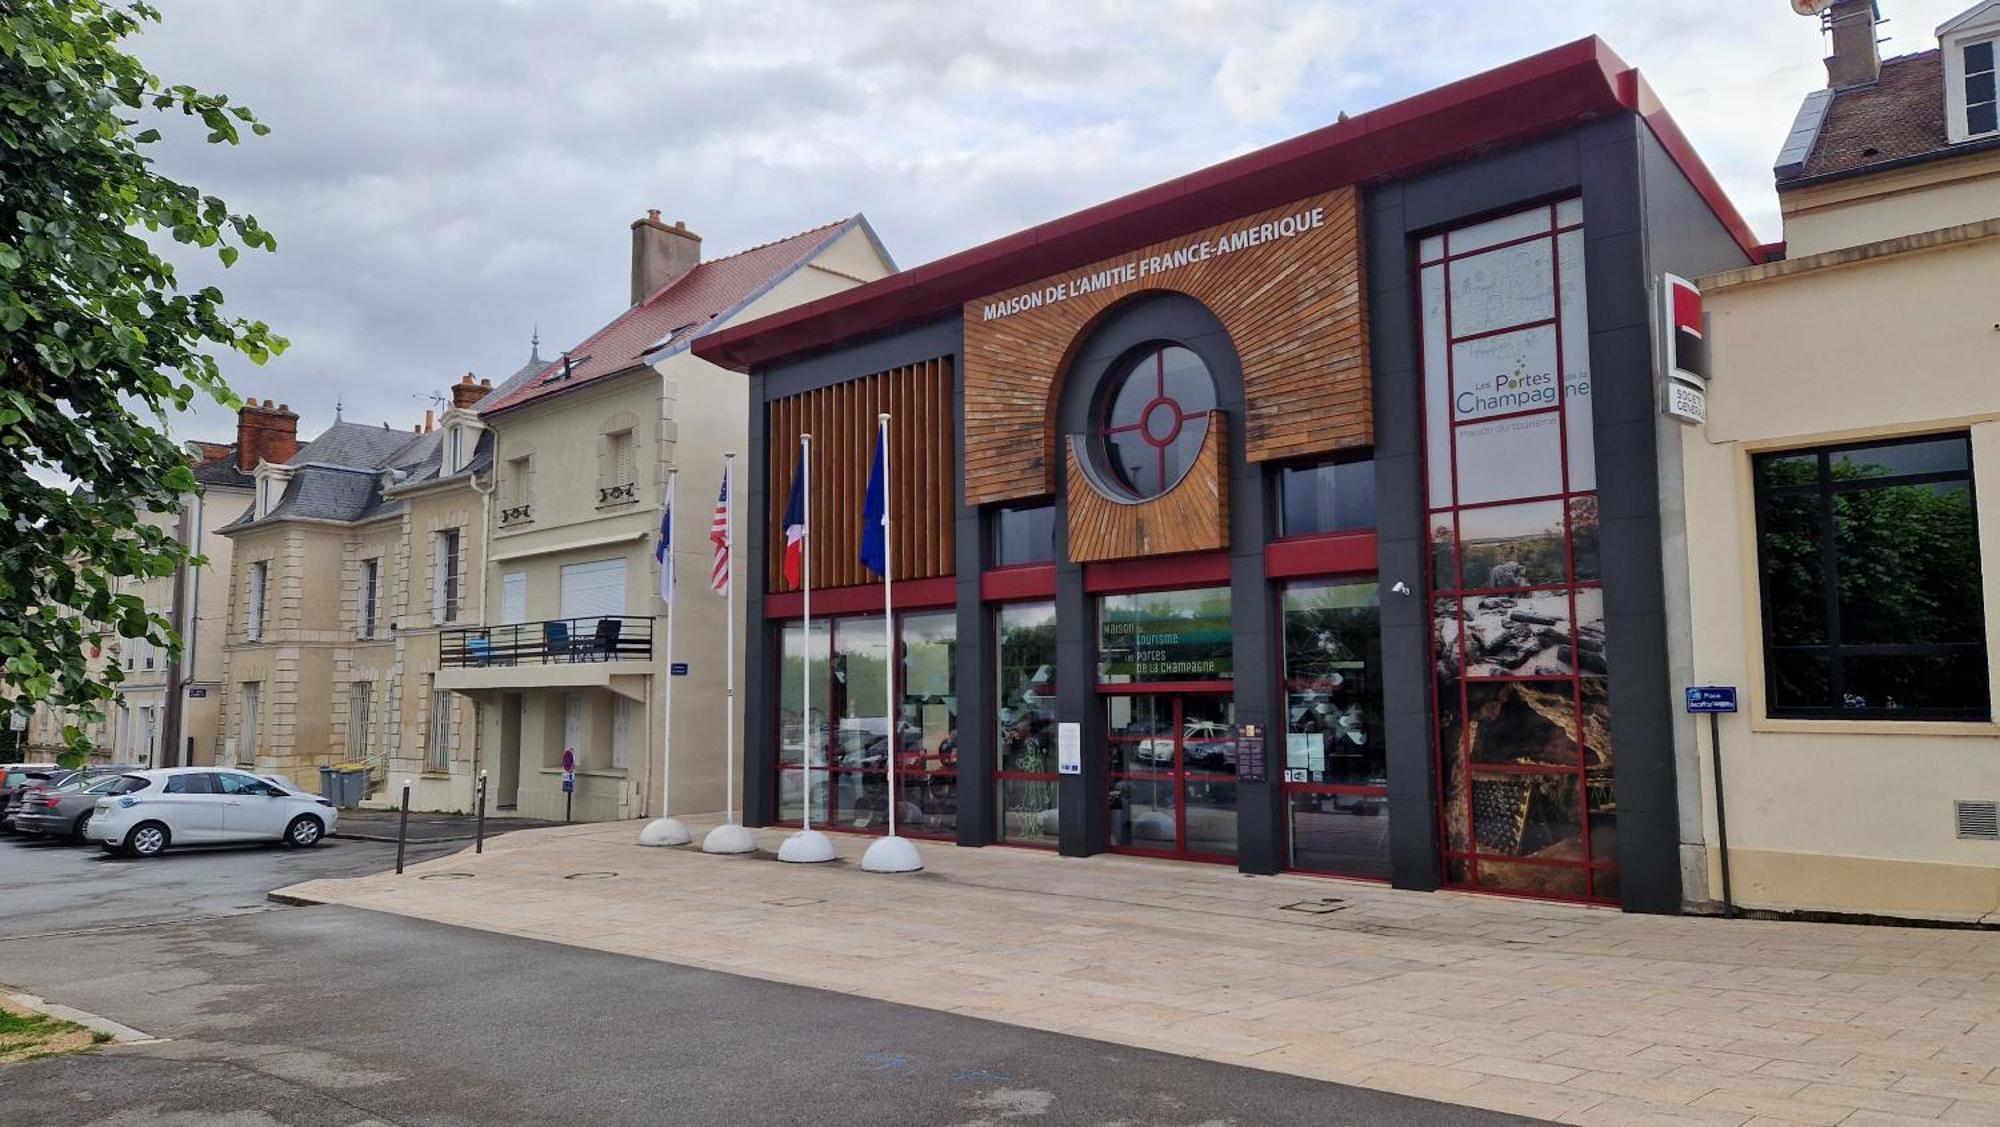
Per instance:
x=147, y=812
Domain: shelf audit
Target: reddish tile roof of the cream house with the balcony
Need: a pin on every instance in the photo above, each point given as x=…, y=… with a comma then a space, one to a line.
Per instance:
x=673, y=315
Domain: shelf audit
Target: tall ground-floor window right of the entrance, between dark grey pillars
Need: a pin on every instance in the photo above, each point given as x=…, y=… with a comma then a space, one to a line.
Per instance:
x=1335, y=758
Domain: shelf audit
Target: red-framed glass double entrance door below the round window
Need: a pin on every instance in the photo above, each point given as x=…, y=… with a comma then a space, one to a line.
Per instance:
x=1173, y=774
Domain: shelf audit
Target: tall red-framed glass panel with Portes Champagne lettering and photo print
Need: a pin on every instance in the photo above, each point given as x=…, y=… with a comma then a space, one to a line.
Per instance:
x=1519, y=640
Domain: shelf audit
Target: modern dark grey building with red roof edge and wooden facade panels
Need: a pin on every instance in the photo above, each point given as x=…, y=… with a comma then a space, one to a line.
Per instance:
x=1295, y=515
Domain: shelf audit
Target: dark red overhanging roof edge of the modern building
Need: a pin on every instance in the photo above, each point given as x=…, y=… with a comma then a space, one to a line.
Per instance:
x=1499, y=109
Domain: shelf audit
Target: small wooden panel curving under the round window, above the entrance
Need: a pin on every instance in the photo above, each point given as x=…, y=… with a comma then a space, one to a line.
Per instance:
x=1193, y=517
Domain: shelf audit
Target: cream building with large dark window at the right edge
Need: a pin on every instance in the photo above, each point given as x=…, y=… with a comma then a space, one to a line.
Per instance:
x=1839, y=491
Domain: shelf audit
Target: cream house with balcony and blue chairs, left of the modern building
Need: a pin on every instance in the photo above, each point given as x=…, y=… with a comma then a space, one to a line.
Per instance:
x=569, y=654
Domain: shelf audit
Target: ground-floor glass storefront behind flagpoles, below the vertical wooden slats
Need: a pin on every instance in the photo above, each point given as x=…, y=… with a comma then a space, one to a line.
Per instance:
x=851, y=734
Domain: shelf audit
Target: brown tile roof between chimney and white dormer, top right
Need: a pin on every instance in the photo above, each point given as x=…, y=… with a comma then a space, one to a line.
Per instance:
x=1895, y=119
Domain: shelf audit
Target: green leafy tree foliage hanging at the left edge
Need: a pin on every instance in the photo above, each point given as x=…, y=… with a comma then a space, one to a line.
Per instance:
x=101, y=343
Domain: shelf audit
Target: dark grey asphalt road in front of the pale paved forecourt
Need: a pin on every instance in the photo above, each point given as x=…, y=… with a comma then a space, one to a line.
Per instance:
x=329, y=1016
